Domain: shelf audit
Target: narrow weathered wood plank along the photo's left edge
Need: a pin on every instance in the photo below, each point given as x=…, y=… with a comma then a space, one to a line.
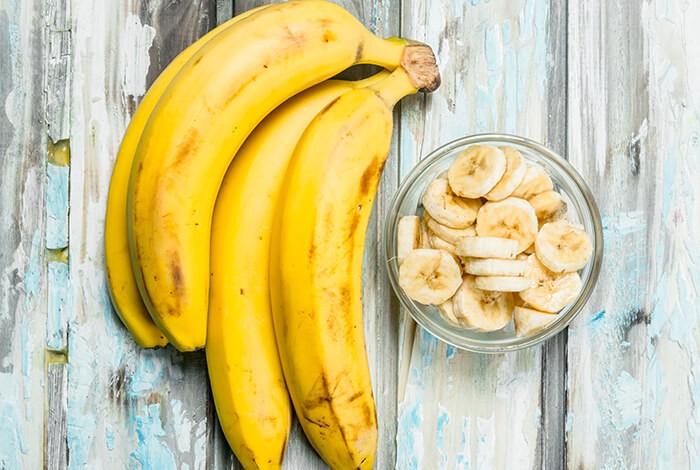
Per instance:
x=22, y=220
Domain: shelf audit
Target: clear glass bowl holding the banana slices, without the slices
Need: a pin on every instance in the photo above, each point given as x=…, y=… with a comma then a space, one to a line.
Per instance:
x=581, y=209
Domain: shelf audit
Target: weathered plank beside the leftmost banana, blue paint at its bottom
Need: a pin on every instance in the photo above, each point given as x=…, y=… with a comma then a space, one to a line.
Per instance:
x=126, y=406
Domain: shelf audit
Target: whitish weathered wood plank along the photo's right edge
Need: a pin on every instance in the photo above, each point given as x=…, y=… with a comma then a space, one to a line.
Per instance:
x=633, y=353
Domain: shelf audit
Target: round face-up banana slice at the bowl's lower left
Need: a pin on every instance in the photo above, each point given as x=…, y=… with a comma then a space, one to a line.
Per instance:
x=429, y=276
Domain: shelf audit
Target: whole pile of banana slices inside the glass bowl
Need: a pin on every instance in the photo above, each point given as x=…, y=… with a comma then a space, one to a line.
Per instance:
x=493, y=243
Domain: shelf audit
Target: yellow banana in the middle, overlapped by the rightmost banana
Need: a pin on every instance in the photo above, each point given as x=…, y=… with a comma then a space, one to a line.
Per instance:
x=244, y=369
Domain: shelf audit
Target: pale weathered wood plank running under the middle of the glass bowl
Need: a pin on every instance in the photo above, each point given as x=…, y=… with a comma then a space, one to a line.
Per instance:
x=462, y=410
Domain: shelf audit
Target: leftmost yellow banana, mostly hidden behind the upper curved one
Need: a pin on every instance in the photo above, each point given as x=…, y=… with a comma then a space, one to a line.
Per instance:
x=122, y=285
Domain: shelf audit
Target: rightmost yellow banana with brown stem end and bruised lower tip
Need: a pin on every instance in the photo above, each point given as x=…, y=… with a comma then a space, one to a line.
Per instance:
x=316, y=263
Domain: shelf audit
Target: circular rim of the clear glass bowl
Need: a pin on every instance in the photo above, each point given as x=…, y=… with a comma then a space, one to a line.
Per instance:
x=559, y=324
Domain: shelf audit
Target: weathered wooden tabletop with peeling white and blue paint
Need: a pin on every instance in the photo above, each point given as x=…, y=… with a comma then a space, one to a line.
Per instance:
x=613, y=85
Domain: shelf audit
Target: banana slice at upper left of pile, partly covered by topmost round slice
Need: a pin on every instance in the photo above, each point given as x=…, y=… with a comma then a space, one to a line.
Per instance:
x=447, y=208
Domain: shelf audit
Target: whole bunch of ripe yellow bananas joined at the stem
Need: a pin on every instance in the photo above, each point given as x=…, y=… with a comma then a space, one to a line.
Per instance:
x=258, y=258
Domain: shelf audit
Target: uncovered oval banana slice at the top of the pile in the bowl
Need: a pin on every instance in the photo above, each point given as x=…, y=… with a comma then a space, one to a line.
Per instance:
x=476, y=170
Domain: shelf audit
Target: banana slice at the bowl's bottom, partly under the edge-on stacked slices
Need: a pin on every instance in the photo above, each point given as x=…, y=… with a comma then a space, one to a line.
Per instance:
x=482, y=310
